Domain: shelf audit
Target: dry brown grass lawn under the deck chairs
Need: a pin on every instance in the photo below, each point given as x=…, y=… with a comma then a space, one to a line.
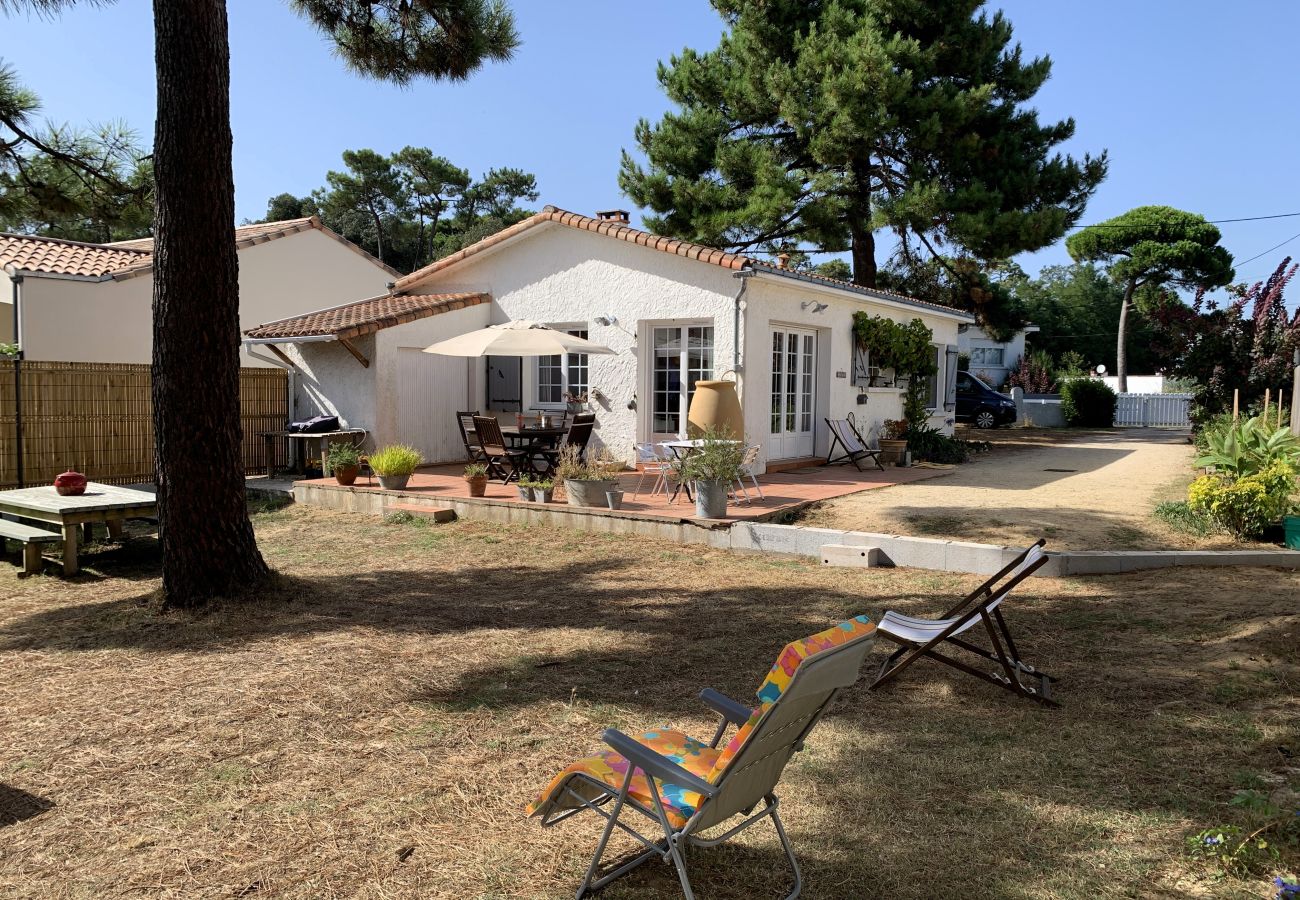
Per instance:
x=378, y=725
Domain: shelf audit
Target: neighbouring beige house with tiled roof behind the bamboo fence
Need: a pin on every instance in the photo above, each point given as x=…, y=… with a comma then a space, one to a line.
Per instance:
x=86, y=302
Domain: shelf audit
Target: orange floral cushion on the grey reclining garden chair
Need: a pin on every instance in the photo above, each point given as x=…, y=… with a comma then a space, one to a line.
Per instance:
x=692, y=755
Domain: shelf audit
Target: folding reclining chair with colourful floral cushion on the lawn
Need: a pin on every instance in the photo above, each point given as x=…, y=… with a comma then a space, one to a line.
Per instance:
x=686, y=786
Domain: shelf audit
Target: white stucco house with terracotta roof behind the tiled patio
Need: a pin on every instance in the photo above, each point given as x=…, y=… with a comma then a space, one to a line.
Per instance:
x=674, y=311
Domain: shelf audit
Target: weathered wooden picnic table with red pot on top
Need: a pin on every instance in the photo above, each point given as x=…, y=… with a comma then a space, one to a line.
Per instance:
x=109, y=504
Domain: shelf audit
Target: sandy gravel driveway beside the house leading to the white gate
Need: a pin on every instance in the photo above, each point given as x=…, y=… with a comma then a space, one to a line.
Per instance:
x=1082, y=491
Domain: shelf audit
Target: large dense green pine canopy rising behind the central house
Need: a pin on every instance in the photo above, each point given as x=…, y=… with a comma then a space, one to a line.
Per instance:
x=818, y=124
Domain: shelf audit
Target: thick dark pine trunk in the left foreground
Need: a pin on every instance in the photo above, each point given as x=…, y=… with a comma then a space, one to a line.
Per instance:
x=209, y=547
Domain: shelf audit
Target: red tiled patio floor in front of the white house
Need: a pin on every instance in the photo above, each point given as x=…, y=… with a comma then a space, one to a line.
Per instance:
x=782, y=492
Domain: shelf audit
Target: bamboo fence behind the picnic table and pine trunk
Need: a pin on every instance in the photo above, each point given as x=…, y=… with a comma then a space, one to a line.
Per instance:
x=98, y=418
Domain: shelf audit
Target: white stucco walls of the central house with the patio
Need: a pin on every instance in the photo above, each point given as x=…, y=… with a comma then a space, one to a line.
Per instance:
x=566, y=276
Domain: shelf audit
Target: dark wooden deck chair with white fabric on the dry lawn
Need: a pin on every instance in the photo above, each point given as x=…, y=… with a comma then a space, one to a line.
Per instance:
x=921, y=638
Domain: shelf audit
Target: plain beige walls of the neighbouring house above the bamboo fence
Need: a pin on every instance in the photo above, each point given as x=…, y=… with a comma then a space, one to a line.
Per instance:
x=111, y=322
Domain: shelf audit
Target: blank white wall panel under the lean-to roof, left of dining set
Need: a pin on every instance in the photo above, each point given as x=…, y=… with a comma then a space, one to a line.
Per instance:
x=431, y=391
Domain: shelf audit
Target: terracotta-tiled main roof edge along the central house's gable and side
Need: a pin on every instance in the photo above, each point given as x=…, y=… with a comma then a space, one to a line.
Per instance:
x=618, y=231
